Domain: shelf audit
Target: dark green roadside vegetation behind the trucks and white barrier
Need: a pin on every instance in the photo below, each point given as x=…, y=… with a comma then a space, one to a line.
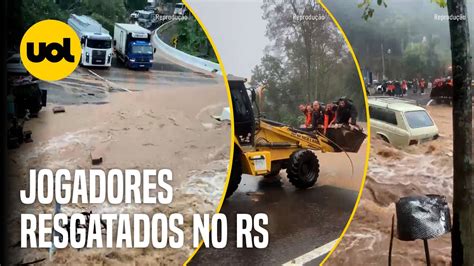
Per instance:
x=191, y=37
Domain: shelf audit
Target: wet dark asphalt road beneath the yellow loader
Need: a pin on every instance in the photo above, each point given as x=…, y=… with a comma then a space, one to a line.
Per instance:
x=299, y=221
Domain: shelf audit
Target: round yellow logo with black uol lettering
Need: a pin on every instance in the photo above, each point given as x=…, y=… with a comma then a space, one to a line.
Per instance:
x=50, y=50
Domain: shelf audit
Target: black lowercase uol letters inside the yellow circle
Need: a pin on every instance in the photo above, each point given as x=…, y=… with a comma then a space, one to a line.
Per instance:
x=54, y=52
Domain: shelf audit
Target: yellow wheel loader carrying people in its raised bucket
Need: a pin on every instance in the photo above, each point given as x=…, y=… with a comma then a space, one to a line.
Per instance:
x=263, y=147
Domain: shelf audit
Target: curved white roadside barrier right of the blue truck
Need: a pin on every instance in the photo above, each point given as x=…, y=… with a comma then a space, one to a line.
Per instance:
x=180, y=55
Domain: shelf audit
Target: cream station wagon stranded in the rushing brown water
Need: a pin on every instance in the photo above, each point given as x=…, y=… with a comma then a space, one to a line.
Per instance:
x=400, y=122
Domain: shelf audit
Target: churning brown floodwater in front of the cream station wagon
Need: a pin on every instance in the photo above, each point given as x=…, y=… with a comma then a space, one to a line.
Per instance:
x=395, y=173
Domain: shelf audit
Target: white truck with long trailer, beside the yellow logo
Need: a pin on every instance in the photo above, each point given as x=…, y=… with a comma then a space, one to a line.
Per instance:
x=96, y=41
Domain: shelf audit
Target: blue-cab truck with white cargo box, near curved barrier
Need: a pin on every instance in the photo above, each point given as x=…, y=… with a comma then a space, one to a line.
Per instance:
x=132, y=46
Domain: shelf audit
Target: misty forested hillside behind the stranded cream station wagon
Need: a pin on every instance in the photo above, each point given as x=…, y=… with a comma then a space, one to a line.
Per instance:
x=410, y=35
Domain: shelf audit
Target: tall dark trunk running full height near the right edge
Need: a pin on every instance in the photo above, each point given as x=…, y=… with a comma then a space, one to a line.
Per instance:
x=462, y=235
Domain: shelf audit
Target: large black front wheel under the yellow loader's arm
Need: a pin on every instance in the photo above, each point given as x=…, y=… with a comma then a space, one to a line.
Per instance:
x=303, y=169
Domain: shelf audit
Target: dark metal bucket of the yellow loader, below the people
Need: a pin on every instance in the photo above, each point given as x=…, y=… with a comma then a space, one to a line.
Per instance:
x=346, y=139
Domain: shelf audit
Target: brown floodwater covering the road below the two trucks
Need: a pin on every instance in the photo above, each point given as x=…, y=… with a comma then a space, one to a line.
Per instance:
x=153, y=127
